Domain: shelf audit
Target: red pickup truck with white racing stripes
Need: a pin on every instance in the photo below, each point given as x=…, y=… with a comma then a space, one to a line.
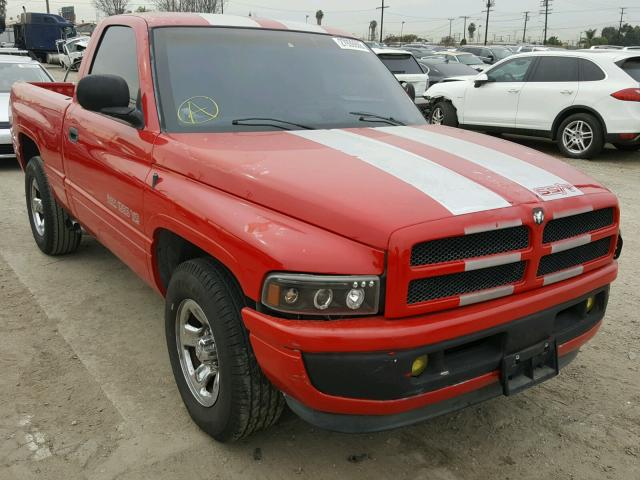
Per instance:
x=317, y=244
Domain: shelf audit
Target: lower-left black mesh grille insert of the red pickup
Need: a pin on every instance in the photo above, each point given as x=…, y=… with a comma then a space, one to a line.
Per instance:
x=433, y=288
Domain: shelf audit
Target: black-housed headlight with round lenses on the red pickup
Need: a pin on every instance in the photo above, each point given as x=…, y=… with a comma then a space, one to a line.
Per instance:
x=322, y=294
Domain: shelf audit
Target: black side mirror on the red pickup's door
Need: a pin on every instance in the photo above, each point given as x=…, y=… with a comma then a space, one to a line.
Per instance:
x=108, y=94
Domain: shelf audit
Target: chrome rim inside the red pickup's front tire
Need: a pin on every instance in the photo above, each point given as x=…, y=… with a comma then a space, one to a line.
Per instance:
x=197, y=352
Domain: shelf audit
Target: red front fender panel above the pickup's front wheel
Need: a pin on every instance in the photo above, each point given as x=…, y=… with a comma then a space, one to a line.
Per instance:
x=250, y=240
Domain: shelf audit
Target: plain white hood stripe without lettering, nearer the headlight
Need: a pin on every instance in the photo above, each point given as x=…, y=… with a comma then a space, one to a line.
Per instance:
x=456, y=193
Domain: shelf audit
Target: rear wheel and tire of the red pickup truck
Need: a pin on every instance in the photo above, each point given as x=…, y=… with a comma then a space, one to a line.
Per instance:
x=51, y=226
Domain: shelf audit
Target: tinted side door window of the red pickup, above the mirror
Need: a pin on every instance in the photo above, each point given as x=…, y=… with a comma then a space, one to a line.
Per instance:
x=117, y=55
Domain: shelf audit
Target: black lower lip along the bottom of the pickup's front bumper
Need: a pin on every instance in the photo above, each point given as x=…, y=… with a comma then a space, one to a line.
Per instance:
x=377, y=423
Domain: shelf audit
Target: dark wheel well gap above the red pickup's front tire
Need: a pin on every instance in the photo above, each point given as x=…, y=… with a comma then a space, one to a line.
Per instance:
x=171, y=250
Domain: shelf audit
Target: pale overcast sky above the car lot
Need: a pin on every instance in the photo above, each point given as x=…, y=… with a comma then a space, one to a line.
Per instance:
x=427, y=18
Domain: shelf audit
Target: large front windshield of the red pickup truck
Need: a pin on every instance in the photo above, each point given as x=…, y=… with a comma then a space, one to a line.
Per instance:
x=208, y=77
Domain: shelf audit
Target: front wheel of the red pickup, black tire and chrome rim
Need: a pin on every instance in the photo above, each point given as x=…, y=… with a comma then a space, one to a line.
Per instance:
x=217, y=374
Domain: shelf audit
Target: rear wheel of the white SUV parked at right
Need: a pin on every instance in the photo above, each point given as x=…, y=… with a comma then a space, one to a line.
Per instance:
x=580, y=136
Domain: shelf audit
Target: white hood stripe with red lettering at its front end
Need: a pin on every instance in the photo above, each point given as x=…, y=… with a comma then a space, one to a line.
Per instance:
x=545, y=185
